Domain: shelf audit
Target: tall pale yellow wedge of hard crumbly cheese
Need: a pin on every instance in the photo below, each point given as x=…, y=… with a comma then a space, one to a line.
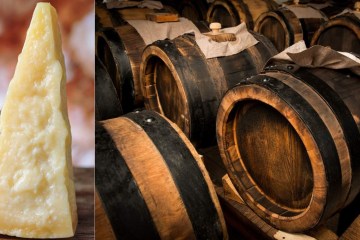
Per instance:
x=37, y=195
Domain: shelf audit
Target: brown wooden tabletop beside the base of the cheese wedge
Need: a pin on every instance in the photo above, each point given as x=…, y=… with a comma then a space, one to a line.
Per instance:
x=84, y=185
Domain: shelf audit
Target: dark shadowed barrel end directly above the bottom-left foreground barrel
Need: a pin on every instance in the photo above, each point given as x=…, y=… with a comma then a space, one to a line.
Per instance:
x=107, y=102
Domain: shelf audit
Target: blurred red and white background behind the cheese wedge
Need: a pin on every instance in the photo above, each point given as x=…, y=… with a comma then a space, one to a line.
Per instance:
x=76, y=19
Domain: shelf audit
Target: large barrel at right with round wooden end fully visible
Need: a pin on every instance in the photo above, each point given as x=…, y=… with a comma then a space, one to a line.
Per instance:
x=290, y=139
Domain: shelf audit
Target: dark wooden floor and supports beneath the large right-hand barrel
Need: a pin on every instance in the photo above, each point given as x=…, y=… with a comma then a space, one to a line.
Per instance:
x=243, y=223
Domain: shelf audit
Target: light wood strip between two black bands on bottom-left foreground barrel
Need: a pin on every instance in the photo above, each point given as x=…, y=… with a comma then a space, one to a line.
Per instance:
x=156, y=186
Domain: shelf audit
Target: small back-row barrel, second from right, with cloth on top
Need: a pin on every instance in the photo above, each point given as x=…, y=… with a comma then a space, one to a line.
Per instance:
x=284, y=27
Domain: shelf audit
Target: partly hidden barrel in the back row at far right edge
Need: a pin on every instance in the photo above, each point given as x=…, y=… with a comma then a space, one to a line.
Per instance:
x=341, y=33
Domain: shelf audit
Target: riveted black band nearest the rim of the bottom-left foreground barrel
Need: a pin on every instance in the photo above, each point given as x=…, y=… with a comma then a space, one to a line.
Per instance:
x=185, y=172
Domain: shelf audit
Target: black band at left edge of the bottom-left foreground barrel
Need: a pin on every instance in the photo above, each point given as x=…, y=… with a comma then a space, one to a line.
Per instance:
x=125, y=207
